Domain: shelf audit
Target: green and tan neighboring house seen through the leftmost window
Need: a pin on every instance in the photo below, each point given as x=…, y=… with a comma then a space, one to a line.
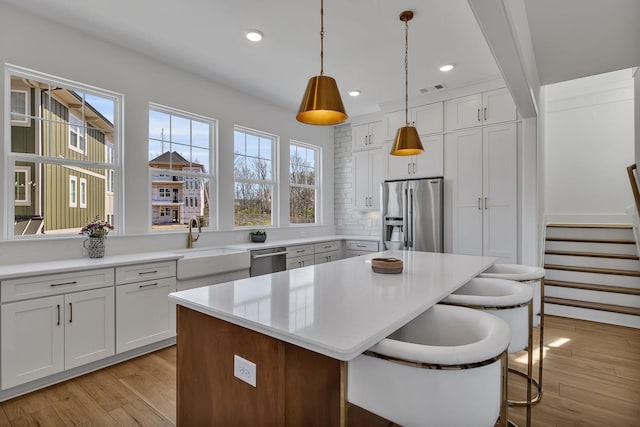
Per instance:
x=57, y=123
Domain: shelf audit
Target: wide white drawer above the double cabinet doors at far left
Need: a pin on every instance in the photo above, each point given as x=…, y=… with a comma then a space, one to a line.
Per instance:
x=55, y=284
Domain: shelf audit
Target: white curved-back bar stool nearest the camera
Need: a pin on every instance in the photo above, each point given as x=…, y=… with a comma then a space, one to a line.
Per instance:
x=447, y=367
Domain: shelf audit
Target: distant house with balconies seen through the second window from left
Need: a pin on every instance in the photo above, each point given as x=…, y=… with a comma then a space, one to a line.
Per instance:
x=174, y=198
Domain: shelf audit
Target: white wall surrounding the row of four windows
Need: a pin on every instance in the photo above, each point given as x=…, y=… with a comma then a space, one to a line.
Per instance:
x=47, y=47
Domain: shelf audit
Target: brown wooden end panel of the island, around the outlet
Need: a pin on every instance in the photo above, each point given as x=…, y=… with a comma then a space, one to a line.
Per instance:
x=294, y=386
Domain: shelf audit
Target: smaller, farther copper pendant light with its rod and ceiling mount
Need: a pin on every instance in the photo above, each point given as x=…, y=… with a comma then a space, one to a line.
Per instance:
x=407, y=142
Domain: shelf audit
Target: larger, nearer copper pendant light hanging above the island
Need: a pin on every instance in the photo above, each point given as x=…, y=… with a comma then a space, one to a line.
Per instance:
x=321, y=103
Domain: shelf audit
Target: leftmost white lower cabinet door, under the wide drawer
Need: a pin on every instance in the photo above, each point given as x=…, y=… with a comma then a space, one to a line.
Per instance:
x=32, y=340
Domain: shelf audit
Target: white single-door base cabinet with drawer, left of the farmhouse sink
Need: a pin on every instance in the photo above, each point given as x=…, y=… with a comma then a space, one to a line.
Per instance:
x=144, y=315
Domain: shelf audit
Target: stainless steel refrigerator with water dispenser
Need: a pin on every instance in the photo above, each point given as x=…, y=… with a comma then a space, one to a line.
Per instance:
x=412, y=215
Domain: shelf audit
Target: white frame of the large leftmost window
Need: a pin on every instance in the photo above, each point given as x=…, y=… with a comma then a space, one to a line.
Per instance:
x=42, y=157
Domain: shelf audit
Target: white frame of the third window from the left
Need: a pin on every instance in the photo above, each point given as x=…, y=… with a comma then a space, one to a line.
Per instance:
x=274, y=182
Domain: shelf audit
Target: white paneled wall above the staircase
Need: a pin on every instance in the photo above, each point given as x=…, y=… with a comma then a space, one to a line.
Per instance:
x=588, y=143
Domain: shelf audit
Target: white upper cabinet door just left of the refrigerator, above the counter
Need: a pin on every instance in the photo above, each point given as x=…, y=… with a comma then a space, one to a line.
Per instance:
x=367, y=166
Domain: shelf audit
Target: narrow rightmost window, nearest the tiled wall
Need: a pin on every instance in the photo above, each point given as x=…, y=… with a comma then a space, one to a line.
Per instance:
x=303, y=183
